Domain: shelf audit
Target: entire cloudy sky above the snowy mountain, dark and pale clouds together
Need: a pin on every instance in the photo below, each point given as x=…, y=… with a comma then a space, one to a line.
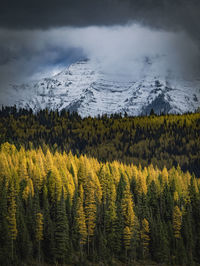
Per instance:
x=40, y=38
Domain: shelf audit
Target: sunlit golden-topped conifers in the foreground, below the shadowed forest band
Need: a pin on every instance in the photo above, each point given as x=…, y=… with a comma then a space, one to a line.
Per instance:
x=58, y=208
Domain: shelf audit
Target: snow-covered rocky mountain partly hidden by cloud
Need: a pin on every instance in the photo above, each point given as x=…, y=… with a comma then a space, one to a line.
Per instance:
x=85, y=87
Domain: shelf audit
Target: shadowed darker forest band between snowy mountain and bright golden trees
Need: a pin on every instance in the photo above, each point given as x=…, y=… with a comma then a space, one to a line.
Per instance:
x=166, y=140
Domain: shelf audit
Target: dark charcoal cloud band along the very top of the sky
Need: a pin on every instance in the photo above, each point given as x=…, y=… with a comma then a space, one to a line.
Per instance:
x=53, y=13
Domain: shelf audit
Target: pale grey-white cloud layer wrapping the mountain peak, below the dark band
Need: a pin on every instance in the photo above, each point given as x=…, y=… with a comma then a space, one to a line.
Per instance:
x=32, y=54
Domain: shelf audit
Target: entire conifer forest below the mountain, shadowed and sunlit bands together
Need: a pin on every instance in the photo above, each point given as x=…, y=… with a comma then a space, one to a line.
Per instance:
x=99, y=191
